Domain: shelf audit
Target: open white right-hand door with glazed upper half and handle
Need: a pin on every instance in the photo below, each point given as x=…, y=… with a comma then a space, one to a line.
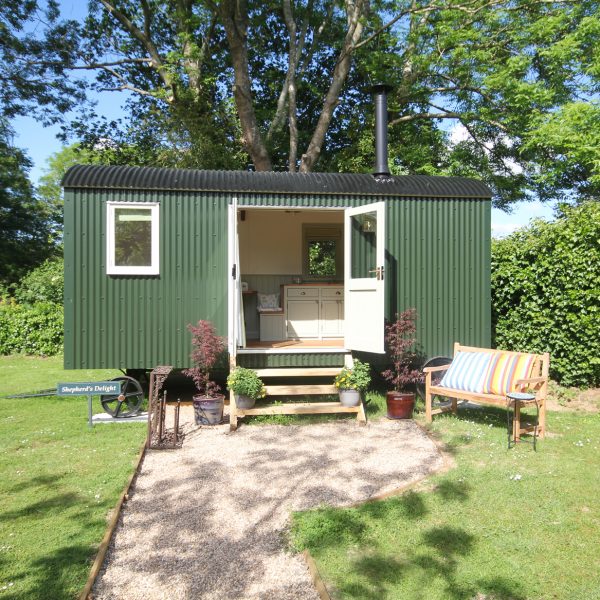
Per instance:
x=364, y=281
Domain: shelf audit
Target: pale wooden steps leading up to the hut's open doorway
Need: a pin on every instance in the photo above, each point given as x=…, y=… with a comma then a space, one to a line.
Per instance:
x=296, y=389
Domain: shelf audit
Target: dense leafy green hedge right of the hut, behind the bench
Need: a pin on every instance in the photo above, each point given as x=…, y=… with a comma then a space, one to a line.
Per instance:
x=546, y=293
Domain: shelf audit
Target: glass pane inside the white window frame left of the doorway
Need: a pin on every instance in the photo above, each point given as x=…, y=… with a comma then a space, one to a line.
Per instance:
x=133, y=237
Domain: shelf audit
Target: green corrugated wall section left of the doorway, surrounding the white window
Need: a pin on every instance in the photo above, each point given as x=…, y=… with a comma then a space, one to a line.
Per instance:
x=139, y=322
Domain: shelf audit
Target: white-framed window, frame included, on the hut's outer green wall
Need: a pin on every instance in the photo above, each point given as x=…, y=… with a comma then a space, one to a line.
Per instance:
x=132, y=238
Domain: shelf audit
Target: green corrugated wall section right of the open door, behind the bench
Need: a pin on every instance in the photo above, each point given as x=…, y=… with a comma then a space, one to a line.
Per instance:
x=438, y=261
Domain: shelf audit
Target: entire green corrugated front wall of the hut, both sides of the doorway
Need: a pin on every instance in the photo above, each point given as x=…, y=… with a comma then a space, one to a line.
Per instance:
x=437, y=261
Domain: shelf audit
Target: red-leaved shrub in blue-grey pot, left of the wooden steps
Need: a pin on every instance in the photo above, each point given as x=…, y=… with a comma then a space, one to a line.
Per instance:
x=207, y=347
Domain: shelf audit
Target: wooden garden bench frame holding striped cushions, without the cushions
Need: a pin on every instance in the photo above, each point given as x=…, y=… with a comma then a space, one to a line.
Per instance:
x=536, y=383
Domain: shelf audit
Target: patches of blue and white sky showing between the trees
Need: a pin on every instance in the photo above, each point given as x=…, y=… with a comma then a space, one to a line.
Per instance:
x=41, y=142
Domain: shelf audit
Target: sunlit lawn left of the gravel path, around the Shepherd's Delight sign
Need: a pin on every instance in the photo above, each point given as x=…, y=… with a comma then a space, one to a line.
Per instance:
x=59, y=480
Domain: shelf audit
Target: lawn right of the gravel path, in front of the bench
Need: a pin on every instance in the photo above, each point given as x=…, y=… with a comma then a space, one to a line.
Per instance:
x=502, y=524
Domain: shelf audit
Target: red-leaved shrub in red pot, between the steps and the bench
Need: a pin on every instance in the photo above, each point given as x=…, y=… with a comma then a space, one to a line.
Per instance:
x=400, y=340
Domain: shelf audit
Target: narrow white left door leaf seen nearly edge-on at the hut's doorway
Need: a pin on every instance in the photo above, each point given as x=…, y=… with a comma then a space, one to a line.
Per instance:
x=236, y=330
